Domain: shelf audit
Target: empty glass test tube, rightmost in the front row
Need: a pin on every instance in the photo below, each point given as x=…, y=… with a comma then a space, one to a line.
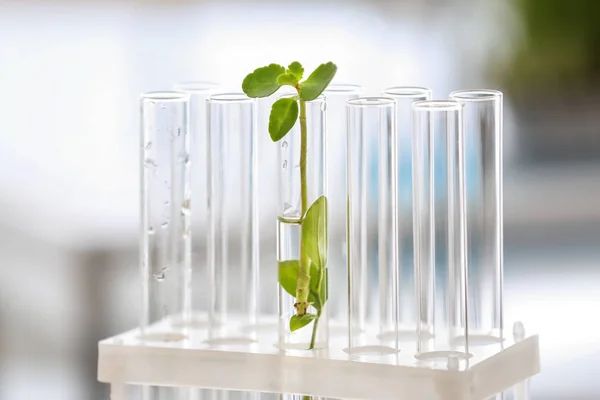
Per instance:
x=440, y=231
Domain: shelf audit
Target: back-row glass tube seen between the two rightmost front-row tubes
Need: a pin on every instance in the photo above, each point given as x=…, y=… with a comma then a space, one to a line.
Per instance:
x=404, y=97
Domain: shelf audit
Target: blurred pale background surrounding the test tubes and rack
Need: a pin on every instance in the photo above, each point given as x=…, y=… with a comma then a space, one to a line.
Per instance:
x=70, y=77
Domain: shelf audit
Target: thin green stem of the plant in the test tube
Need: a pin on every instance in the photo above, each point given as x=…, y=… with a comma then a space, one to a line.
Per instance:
x=304, y=264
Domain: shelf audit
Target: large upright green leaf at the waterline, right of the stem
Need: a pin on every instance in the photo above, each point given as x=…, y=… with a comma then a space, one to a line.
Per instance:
x=314, y=232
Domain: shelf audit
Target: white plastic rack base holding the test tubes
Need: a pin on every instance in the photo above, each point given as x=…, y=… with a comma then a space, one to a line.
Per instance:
x=262, y=367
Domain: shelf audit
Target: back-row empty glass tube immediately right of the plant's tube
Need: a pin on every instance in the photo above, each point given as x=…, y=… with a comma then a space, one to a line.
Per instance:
x=337, y=95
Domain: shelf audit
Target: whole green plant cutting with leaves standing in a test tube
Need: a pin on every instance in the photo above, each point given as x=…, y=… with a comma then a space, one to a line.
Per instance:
x=306, y=278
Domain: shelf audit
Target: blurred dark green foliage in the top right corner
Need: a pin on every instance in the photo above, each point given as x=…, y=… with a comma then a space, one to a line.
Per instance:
x=560, y=47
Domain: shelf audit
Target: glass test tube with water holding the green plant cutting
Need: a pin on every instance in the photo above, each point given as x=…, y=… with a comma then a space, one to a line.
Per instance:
x=289, y=229
